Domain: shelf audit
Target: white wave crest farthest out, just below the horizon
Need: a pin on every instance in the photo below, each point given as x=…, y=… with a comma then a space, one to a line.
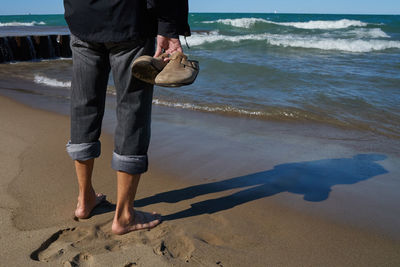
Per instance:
x=310, y=25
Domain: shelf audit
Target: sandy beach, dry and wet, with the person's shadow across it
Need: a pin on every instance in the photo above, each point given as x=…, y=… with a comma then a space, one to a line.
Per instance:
x=232, y=192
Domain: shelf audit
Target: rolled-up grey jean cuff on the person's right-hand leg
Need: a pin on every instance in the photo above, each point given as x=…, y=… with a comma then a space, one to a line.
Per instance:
x=129, y=163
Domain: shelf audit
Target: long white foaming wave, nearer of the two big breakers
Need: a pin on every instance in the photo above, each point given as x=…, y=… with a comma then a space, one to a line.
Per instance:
x=346, y=45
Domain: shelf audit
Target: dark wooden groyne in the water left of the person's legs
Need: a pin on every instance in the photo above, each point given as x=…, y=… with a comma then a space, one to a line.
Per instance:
x=25, y=48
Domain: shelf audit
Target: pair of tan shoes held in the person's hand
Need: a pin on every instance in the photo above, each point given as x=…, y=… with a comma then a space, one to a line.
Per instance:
x=178, y=71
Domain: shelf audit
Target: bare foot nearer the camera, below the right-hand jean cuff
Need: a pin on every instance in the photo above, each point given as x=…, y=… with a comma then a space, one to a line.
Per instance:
x=142, y=220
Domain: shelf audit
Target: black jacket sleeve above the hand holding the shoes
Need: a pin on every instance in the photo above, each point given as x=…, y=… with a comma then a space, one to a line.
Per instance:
x=172, y=17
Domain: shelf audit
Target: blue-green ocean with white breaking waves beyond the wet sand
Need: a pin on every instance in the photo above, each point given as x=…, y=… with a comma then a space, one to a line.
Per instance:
x=339, y=70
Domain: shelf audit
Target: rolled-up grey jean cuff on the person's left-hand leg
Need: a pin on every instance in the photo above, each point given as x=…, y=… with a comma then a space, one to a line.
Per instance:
x=84, y=151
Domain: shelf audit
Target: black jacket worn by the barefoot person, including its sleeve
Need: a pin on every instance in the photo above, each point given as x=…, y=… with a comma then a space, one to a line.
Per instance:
x=124, y=20
